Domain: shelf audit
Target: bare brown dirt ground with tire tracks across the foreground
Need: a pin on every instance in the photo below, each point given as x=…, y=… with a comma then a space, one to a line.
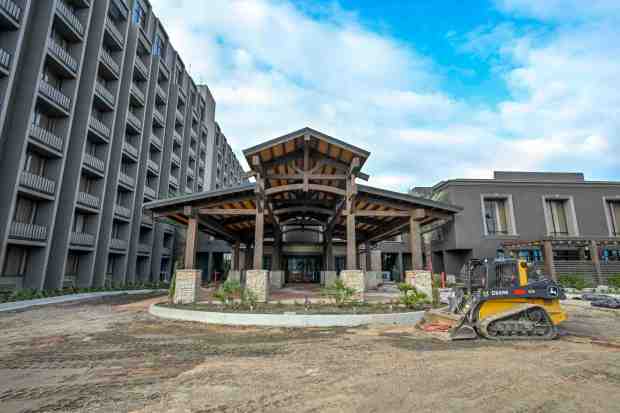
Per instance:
x=109, y=355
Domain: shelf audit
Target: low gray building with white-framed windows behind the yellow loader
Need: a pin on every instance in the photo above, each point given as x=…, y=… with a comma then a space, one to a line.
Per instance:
x=518, y=212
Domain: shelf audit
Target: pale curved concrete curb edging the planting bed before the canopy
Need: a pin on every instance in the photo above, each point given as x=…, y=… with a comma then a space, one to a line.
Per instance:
x=286, y=320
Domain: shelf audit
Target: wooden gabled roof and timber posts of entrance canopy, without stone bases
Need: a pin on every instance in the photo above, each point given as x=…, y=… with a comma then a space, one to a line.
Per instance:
x=304, y=181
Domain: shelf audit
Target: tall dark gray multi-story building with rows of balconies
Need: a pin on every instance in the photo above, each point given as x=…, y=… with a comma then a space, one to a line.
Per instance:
x=98, y=115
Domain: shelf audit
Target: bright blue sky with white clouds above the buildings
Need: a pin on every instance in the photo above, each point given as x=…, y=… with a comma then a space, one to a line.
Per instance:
x=435, y=90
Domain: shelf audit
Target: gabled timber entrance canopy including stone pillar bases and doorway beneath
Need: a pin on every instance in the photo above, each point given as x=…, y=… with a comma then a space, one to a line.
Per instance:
x=305, y=204
